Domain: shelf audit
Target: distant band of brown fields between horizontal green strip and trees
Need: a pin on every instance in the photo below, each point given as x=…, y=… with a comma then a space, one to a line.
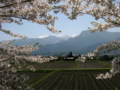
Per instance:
x=68, y=65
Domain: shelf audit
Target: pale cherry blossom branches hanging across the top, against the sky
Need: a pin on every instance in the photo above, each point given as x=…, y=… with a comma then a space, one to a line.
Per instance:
x=38, y=11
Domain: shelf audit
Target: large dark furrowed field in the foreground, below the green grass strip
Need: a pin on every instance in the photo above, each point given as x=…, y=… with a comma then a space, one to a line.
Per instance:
x=77, y=80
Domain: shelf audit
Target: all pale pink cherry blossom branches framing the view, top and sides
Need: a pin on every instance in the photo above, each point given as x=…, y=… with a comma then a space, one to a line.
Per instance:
x=39, y=11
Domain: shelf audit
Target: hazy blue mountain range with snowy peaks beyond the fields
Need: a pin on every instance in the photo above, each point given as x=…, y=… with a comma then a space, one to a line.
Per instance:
x=84, y=43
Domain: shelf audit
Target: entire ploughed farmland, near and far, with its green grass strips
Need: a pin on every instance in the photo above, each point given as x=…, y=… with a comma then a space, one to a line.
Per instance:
x=71, y=75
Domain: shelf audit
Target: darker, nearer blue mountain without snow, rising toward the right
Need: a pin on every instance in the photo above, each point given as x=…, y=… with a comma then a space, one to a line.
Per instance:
x=84, y=43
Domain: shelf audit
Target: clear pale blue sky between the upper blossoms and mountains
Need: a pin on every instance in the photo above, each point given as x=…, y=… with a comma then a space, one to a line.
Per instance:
x=68, y=27
